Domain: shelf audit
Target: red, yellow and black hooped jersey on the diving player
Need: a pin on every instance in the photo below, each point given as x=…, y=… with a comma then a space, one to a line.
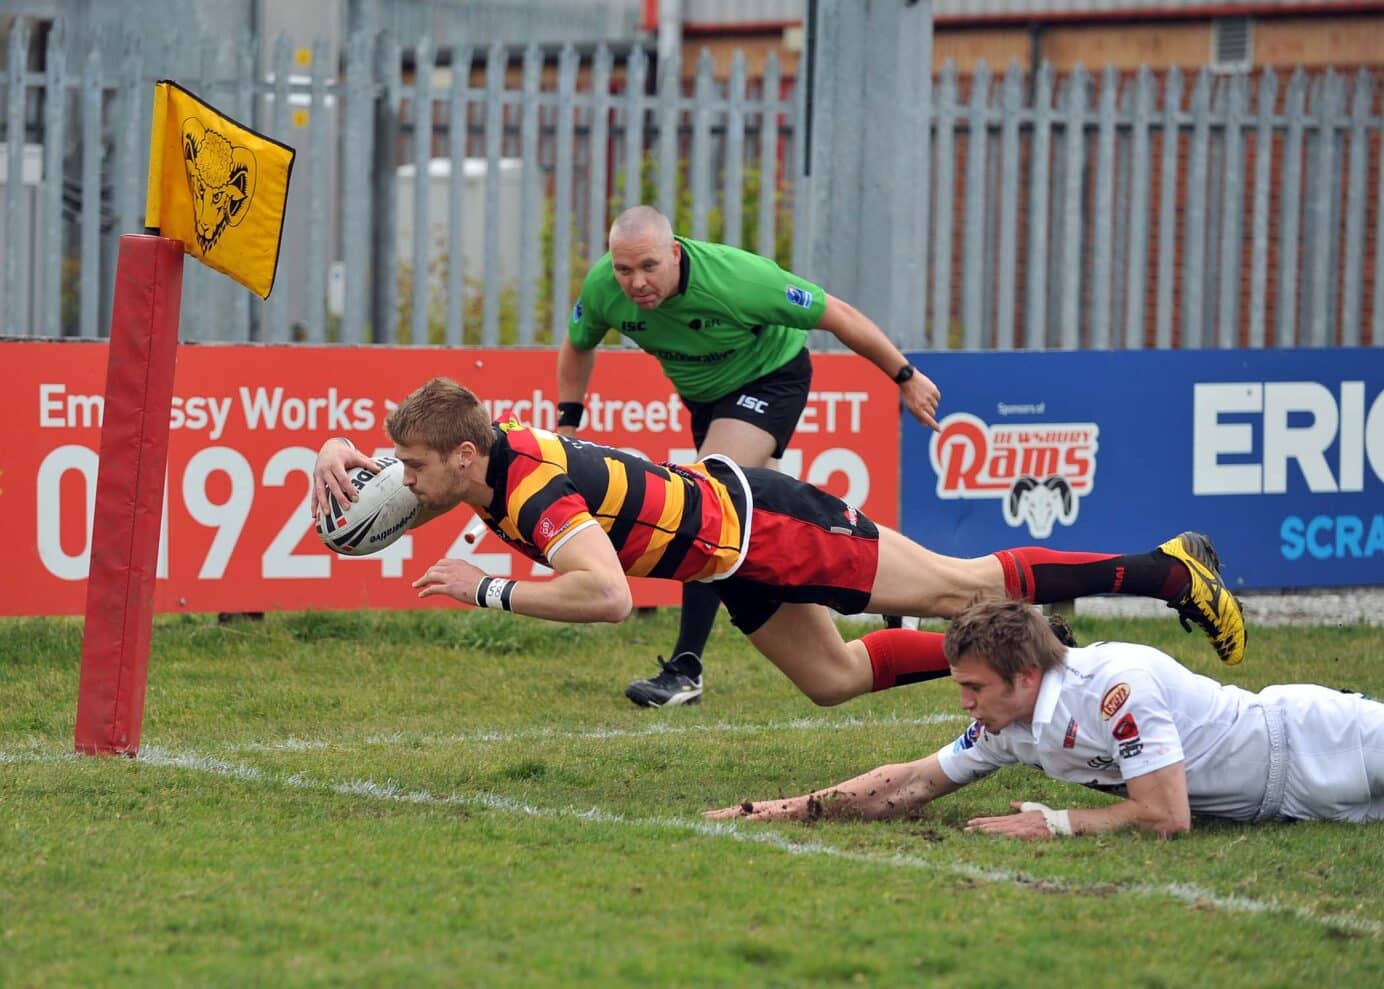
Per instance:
x=673, y=522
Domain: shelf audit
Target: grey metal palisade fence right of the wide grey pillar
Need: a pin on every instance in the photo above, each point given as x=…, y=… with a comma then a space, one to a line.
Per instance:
x=1202, y=211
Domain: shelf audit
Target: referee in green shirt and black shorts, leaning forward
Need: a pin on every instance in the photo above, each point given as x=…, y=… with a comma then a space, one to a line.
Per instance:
x=730, y=330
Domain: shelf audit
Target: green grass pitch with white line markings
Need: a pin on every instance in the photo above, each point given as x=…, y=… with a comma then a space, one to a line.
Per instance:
x=467, y=799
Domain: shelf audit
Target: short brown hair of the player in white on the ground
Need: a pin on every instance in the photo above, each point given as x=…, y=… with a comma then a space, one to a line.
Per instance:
x=1008, y=636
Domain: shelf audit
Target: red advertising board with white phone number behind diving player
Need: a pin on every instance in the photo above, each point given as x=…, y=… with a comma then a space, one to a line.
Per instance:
x=247, y=424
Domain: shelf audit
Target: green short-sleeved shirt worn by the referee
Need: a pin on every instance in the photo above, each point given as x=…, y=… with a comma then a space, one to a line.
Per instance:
x=736, y=317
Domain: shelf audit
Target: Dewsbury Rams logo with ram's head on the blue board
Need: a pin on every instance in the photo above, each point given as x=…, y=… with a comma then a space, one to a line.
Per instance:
x=1039, y=472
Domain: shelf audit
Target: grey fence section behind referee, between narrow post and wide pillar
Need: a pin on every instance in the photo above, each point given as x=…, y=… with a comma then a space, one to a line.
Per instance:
x=718, y=157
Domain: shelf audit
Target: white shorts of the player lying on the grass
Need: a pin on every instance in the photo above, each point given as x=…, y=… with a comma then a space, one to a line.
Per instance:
x=1332, y=752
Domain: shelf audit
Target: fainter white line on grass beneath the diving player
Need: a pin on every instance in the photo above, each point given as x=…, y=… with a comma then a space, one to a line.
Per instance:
x=659, y=728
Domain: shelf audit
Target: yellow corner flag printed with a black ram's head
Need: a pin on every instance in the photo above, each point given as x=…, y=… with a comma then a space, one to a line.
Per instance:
x=218, y=187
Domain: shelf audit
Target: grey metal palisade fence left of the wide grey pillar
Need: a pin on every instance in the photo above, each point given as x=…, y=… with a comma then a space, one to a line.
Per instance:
x=446, y=194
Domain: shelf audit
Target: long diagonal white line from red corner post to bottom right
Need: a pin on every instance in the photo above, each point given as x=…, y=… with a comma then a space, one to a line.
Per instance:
x=392, y=792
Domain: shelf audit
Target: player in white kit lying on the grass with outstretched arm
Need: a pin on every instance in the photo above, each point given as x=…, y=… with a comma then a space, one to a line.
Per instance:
x=1129, y=720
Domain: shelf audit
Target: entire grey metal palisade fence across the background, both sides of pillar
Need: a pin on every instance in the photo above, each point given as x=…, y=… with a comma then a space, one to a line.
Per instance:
x=455, y=196
